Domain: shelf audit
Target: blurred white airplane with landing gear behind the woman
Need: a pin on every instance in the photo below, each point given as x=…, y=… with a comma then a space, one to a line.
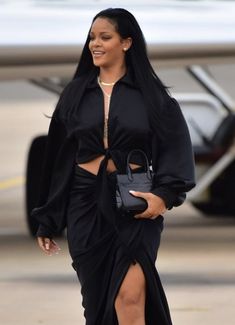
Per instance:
x=41, y=41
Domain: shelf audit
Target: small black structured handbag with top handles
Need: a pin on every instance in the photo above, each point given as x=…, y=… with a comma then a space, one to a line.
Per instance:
x=140, y=181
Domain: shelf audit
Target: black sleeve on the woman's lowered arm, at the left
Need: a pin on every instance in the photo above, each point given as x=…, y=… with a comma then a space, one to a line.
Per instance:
x=55, y=174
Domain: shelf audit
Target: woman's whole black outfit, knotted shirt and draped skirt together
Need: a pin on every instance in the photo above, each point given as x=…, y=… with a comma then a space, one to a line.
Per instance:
x=103, y=243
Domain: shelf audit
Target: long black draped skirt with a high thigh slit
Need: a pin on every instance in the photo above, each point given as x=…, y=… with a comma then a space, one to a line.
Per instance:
x=102, y=252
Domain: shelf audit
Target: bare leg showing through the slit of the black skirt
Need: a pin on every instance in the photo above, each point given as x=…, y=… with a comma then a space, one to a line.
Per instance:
x=130, y=301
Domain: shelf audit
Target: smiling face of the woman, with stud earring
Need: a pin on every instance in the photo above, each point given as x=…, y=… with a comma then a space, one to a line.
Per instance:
x=106, y=45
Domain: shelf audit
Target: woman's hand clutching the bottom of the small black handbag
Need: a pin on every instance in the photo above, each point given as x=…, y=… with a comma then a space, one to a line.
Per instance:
x=156, y=205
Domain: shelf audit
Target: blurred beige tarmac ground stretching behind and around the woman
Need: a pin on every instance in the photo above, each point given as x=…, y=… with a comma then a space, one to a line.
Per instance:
x=196, y=259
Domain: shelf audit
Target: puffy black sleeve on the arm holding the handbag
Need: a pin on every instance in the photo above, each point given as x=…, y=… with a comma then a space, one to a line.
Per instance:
x=172, y=157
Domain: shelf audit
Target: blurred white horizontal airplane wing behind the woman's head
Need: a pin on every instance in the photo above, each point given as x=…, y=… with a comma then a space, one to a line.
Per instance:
x=46, y=40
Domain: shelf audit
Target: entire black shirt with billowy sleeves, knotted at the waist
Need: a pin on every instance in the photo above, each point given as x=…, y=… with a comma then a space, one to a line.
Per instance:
x=76, y=136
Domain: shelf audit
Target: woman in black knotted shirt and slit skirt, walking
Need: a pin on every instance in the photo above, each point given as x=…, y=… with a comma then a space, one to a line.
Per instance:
x=114, y=104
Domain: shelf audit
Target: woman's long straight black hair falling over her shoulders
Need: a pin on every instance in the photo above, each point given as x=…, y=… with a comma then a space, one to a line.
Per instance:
x=154, y=91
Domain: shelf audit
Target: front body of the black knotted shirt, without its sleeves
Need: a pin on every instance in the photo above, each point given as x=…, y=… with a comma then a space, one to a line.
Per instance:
x=128, y=123
